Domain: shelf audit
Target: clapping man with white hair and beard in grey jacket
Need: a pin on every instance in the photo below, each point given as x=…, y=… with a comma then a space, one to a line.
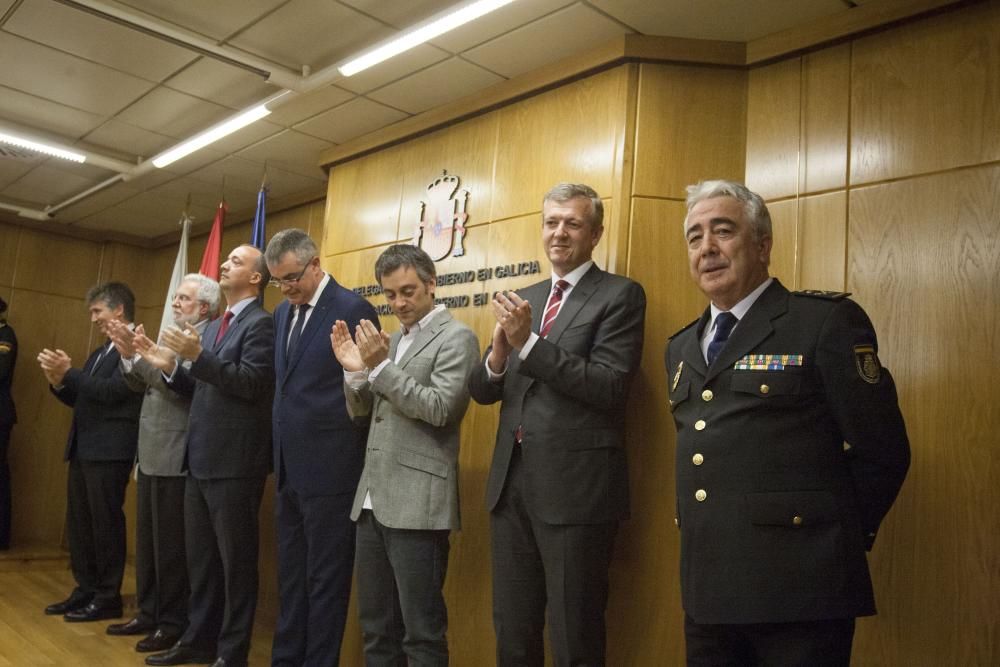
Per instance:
x=161, y=580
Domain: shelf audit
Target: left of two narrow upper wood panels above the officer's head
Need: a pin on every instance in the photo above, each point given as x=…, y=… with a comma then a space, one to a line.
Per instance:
x=773, y=137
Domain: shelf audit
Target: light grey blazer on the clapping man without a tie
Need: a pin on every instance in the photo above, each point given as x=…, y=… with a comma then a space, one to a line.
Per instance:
x=416, y=407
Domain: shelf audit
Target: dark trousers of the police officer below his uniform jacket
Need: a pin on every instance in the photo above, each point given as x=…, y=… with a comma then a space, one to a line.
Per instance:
x=801, y=644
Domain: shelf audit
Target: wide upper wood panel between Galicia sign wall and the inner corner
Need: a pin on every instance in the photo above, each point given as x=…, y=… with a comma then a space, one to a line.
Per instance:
x=691, y=126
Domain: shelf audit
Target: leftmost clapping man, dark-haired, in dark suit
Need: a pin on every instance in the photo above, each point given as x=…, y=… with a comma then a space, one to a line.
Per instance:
x=100, y=451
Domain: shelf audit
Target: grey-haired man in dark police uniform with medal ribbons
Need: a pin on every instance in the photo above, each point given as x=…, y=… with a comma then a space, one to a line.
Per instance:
x=790, y=450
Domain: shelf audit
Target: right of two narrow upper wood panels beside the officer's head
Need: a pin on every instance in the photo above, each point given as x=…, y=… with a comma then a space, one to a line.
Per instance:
x=825, y=103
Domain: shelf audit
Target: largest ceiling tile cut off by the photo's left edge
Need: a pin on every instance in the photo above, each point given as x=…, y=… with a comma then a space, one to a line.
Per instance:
x=65, y=79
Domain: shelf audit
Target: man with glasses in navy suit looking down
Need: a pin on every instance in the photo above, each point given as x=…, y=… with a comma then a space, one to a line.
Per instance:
x=318, y=454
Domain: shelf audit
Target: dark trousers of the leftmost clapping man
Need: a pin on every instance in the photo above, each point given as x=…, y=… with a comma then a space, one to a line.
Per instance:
x=95, y=527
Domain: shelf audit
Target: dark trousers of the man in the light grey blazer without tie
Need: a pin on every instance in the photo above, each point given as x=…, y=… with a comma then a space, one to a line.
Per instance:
x=400, y=601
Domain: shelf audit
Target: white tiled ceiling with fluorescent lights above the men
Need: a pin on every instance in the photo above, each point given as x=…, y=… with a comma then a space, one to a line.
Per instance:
x=85, y=81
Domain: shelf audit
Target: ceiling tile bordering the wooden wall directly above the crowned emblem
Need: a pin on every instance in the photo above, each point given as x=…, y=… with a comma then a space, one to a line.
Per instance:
x=436, y=86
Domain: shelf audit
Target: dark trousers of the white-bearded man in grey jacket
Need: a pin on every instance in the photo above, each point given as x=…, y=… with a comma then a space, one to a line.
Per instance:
x=161, y=582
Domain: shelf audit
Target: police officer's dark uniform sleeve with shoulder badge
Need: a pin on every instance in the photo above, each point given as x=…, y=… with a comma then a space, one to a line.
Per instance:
x=862, y=397
